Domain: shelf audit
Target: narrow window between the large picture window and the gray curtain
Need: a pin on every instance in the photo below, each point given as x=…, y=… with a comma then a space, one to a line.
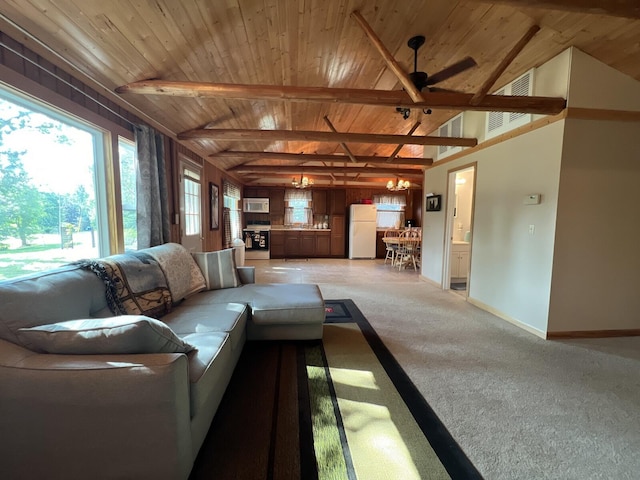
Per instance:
x=128, y=172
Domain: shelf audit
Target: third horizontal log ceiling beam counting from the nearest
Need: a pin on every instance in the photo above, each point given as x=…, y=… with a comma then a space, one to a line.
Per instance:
x=315, y=157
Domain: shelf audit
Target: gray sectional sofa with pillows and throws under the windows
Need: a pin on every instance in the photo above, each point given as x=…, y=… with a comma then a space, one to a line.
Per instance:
x=86, y=393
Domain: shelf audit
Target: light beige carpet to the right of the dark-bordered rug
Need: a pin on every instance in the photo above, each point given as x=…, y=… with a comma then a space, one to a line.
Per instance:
x=519, y=406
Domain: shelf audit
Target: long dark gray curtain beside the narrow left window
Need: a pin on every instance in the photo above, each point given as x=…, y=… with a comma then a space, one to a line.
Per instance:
x=153, y=220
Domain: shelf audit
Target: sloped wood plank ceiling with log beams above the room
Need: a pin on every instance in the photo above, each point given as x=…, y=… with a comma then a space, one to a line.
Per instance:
x=270, y=52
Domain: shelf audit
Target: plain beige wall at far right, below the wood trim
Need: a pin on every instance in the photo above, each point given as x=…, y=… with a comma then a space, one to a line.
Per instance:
x=596, y=269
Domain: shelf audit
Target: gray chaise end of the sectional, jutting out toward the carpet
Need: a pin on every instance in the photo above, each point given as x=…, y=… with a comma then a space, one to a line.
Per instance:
x=285, y=311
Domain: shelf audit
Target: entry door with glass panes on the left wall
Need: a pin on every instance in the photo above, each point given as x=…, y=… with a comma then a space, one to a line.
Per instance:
x=191, y=234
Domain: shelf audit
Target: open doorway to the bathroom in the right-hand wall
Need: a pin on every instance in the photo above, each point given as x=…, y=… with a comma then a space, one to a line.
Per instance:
x=459, y=228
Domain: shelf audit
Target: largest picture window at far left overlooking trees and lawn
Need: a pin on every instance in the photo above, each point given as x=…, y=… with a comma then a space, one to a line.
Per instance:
x=53, y=202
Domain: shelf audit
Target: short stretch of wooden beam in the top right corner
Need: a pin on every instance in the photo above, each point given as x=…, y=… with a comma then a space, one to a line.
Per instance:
x=617, y=8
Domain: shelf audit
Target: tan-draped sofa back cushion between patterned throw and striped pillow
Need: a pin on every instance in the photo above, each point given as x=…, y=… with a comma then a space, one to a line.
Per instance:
x=183, y=275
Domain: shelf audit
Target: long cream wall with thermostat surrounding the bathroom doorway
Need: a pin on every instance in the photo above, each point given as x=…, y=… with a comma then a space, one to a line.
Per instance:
x=510, y=269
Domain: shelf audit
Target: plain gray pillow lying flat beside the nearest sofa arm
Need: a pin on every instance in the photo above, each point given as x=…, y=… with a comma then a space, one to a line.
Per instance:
x=102, y=336
